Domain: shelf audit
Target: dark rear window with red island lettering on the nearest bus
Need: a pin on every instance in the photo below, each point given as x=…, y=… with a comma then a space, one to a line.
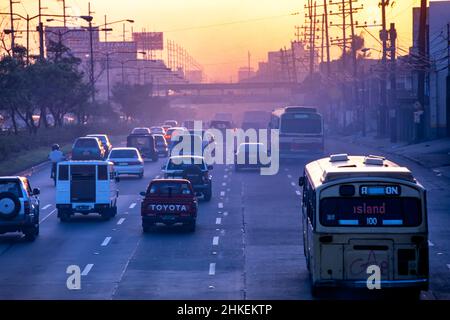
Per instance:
x=370, y=212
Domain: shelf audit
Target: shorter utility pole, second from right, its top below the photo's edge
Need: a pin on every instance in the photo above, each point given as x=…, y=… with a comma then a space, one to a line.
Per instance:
x=393, y=82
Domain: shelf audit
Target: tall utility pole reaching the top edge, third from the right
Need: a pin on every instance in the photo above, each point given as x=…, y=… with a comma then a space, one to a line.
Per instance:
x=382, y=125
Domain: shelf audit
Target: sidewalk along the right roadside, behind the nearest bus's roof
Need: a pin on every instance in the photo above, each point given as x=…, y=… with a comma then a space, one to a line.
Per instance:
x=434, y=154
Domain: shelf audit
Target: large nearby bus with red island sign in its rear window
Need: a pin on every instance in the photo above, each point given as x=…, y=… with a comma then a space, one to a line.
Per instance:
x=361, y=211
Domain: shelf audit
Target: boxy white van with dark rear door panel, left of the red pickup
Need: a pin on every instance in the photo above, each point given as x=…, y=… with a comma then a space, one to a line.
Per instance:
x=86, y=187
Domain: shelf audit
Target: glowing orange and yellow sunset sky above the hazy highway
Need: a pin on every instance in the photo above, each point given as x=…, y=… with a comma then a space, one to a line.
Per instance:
x=203, y=26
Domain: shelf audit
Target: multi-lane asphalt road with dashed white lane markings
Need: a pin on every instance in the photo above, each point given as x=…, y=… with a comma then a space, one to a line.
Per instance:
x=247, y=245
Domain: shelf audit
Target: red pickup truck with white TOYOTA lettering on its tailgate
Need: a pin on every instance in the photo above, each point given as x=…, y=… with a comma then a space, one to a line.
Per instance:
x=169, y=201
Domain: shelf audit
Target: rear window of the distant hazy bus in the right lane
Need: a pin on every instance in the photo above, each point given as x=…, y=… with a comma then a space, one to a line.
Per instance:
x=301, y=123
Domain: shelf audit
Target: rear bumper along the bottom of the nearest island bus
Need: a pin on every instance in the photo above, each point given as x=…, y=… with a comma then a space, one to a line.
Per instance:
x=421, y=284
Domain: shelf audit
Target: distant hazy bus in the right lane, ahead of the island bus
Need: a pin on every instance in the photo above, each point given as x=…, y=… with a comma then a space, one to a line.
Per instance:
x=301, y=131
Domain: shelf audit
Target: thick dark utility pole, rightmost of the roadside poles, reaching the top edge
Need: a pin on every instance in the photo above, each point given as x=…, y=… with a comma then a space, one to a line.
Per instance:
x=421, y=75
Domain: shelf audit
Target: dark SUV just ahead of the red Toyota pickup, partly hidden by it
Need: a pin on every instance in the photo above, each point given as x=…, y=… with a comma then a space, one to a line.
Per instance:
x=192, y=168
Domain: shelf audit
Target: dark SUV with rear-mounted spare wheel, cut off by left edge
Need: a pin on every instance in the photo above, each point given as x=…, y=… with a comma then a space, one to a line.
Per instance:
x=19, y=207
